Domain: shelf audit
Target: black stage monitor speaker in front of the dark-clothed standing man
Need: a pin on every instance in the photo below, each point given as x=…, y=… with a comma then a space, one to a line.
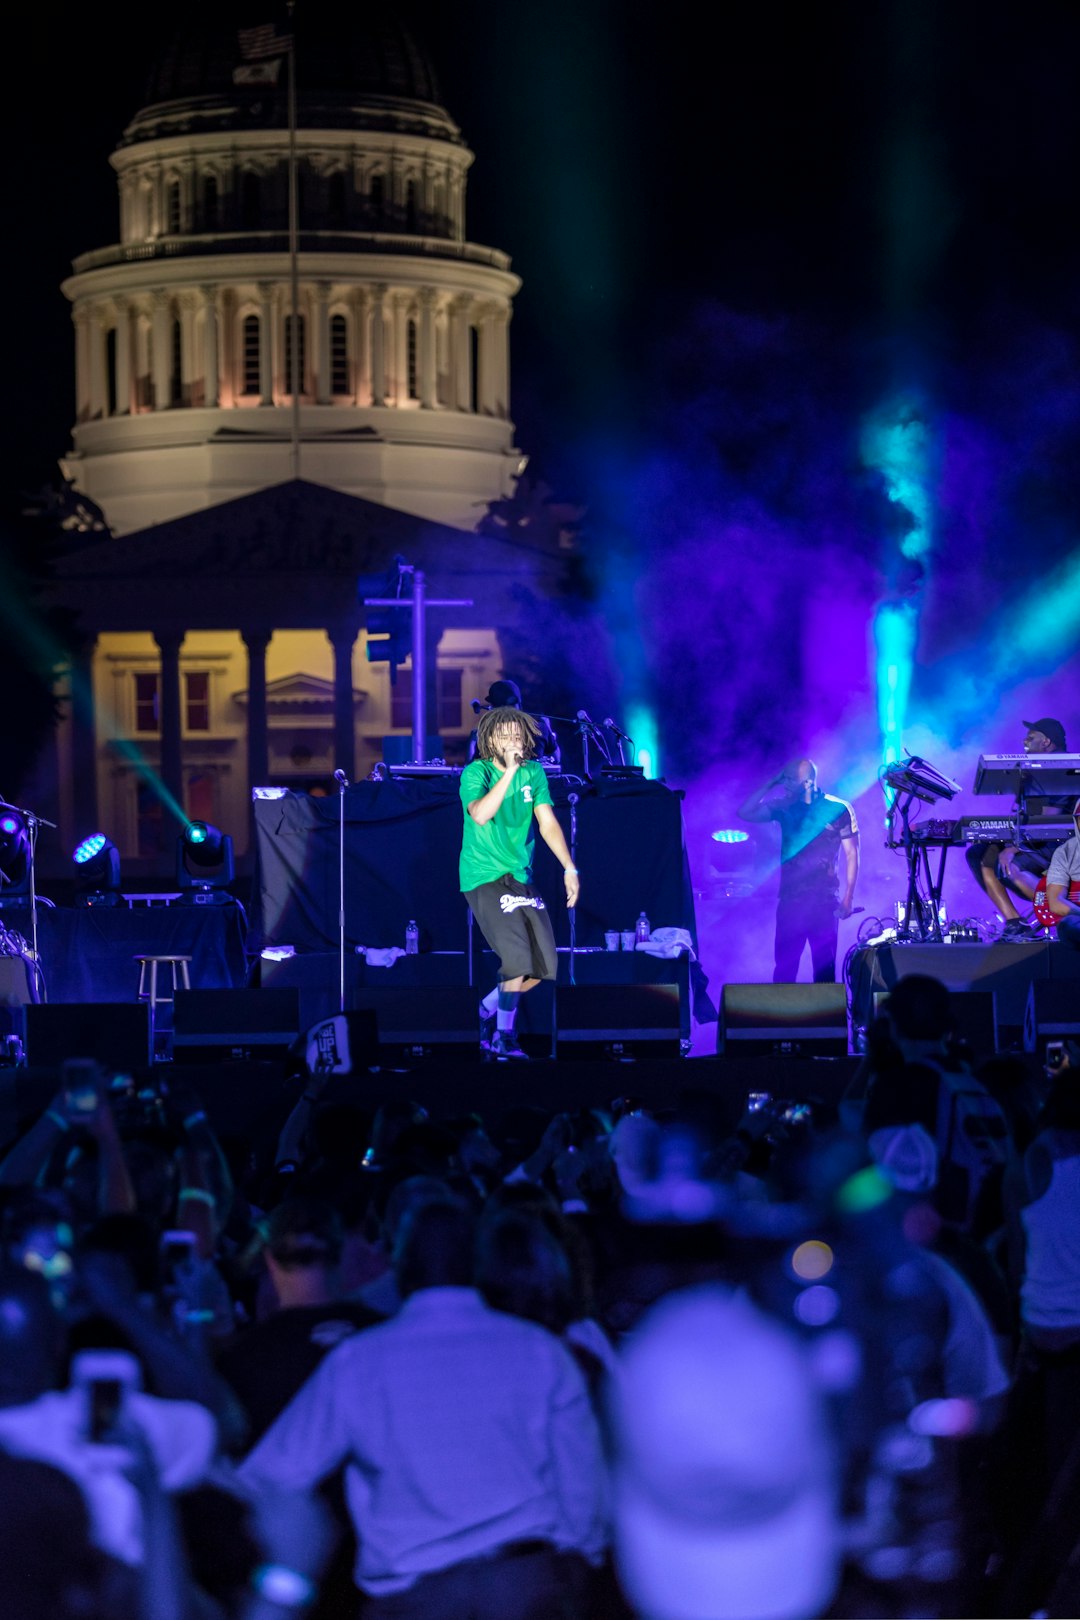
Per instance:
x=797, y=1021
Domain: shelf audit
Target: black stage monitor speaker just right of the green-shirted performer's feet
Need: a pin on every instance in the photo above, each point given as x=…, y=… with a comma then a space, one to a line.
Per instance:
x=618, y=1021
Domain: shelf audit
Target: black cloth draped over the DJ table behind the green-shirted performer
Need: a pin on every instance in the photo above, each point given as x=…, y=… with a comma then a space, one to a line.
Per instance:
x=402, y=843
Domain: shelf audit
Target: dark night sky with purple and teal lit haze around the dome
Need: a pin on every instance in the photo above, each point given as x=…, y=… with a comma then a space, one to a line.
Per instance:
x=746, y=234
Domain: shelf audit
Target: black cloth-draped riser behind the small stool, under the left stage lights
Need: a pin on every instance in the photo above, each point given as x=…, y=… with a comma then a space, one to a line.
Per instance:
x=88, y=953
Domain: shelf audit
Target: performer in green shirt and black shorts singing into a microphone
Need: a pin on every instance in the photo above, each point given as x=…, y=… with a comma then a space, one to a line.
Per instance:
x=506, y=798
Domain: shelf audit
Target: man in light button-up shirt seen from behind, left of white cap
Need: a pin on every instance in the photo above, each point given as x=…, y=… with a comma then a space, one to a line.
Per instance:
x=474, y=1467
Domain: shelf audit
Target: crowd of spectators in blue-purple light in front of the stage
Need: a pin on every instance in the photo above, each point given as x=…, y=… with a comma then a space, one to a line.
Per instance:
x=734, y=1357
